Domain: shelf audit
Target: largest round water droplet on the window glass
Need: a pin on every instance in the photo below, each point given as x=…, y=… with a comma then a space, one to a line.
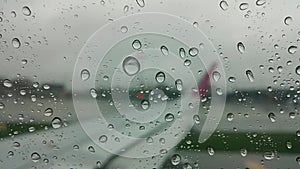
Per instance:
x=131, y=66
